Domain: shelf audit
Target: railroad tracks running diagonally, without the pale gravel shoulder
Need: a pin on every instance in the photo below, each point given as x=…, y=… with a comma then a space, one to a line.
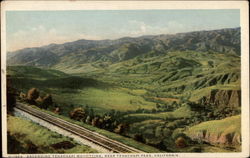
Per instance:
x=82, y=132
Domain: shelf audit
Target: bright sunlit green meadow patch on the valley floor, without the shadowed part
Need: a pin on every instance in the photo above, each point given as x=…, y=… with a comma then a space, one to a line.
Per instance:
x=105, y=99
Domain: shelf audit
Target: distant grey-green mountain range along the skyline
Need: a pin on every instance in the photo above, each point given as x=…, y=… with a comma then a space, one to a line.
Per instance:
x=108, y=52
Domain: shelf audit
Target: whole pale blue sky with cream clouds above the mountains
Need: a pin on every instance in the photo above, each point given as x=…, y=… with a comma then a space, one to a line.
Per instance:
x=38, y=28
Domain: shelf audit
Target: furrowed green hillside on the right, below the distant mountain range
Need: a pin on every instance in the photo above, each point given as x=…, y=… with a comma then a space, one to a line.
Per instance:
x=176, y=73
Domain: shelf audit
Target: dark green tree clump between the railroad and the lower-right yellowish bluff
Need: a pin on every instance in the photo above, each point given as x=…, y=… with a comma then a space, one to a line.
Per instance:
x=162, y=136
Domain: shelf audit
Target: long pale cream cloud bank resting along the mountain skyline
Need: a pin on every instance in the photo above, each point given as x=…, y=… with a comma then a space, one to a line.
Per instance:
x=40, y=35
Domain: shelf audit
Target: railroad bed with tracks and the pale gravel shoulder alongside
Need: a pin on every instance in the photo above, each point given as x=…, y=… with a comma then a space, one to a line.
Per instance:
x=78, y=133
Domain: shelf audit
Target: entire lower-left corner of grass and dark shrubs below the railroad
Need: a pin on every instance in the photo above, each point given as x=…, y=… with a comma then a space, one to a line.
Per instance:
x=25, y=136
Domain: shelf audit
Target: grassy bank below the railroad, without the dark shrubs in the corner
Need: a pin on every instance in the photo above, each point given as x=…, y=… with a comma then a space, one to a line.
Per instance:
x=26, y=131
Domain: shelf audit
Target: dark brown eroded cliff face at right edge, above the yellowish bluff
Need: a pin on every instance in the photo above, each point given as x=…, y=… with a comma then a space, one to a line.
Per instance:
x=231, y=98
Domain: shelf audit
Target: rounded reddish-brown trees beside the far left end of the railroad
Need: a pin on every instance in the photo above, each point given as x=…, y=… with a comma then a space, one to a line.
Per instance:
x=33, y=97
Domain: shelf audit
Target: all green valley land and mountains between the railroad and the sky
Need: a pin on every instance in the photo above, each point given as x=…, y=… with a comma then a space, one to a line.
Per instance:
x=157, y=93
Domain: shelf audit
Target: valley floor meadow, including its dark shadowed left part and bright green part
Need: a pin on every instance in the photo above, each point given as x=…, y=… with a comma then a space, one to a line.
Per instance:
x=79, y=91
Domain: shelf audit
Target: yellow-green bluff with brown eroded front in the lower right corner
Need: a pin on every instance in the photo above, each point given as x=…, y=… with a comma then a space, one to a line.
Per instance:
x=225, y=132
